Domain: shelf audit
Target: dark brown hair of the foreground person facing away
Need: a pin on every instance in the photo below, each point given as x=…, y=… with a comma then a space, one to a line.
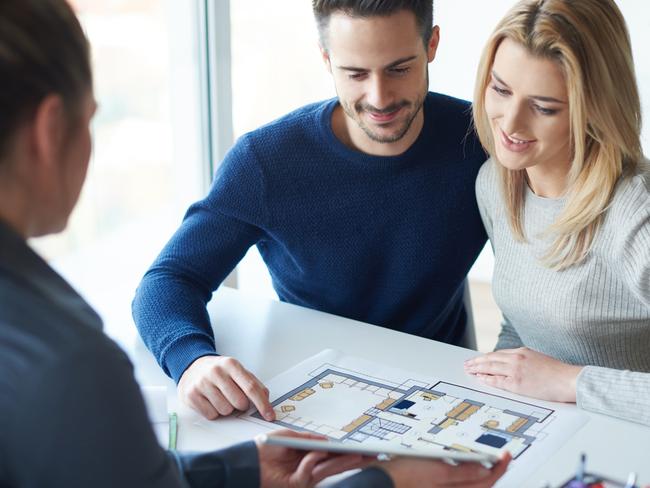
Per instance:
x=43, y=51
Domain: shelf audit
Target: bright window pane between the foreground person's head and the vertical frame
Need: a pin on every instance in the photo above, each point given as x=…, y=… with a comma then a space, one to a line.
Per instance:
x=146, y=166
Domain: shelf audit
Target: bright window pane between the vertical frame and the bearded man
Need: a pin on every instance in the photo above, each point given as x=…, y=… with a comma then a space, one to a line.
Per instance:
x=276, y=67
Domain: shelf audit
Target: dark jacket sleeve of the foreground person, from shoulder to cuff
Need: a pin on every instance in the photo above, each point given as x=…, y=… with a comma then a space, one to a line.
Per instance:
x=82, y=422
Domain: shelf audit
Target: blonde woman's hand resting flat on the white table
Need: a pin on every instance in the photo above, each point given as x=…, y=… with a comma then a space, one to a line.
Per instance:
x=526, y=372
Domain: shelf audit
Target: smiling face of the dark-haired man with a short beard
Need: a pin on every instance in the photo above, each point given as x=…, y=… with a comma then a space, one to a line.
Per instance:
x=379, y=65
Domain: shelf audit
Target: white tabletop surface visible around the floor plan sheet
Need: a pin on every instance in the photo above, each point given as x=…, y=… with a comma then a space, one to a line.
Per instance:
x=269, y=337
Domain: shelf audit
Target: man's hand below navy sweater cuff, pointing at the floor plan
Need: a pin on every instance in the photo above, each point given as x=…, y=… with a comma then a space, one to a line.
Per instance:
x=218, y=385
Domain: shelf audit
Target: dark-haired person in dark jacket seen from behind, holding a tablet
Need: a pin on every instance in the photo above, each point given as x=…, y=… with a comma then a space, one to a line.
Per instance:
x=71, y=413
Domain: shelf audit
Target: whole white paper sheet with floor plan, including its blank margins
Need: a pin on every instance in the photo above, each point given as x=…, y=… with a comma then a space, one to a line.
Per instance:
x=355, y=401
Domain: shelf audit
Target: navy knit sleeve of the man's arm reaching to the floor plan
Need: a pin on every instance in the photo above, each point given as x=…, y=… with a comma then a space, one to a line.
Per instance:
x=169, y=308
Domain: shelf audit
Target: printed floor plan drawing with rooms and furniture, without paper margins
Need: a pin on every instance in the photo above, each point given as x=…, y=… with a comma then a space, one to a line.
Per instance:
x=351, y=407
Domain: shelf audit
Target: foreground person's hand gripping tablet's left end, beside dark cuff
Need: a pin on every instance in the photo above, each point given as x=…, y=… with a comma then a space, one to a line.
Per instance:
x=282, y=467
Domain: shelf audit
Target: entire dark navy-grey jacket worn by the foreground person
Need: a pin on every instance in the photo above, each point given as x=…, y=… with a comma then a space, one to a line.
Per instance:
x=71, y=413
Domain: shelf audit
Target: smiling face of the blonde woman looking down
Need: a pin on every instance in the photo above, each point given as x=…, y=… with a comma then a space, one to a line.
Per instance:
x=526, y=102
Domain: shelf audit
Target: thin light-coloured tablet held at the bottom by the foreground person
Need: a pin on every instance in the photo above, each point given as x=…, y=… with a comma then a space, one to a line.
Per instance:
x=379, y=449
